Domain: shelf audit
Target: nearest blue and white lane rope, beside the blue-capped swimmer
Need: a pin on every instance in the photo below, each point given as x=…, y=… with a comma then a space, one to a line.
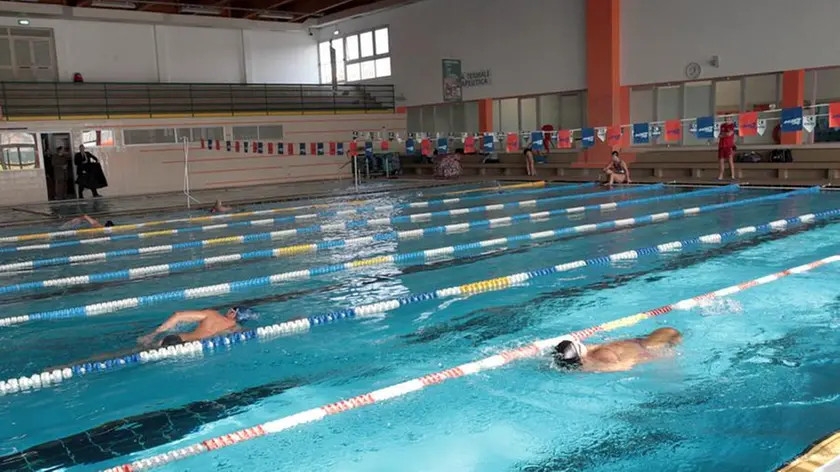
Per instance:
x=45, y=379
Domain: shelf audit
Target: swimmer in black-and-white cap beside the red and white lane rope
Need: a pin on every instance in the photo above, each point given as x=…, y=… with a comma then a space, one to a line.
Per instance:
x=616, y=356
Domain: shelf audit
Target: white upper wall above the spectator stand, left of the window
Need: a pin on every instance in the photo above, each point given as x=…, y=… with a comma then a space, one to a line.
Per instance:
x=126, y=52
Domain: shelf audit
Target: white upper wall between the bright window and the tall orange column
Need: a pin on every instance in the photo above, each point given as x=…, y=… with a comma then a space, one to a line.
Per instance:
x=531, y=46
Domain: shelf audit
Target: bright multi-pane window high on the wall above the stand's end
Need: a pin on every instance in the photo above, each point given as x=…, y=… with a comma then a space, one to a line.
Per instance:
x=361, y=56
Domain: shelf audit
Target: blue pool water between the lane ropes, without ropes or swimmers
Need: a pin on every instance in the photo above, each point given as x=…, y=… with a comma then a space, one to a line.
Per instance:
x=751, y=387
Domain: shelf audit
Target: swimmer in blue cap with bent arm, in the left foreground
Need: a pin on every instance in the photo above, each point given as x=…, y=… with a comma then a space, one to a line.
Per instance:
x=210, y=323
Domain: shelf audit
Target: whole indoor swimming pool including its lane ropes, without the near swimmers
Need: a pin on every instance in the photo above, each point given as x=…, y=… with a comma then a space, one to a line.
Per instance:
x=387, y=300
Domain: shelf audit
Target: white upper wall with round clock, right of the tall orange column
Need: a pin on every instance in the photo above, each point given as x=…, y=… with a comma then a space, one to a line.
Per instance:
x=660, y=37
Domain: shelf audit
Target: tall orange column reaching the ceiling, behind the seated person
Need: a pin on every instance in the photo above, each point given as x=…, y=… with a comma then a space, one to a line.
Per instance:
x=607, y=101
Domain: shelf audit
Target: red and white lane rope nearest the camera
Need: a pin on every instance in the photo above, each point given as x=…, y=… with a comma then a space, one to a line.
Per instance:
x=534, y=349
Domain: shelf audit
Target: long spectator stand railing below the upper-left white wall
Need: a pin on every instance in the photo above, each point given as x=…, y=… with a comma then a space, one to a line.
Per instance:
x=62, y=100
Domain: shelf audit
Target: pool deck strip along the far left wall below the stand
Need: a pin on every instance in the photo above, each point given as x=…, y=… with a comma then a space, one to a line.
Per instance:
x=41, y=213
